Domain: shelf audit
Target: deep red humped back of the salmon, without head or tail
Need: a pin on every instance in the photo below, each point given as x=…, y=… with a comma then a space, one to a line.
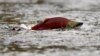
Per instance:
x=51, y=23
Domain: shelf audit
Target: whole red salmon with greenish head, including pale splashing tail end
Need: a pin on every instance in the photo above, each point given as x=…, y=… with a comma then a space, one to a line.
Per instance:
x=51, y=23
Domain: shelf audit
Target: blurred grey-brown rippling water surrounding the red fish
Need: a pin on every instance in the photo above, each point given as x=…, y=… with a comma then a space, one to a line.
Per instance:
x=76, y=42
